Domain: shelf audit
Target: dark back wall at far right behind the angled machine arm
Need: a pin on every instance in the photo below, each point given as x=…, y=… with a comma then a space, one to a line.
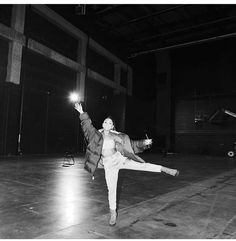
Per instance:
x=203, y=79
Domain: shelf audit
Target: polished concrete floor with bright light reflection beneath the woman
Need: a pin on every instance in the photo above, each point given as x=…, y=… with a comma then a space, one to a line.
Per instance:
x=39, y=198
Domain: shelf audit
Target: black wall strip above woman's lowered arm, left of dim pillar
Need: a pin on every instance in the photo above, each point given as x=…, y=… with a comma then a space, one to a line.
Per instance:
x=141, y=106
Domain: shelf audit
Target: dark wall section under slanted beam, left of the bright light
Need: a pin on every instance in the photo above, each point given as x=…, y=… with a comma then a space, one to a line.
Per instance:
x=49, y=123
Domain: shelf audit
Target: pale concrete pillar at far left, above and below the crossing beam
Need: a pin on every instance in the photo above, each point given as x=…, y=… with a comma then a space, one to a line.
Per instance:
x=15, y=48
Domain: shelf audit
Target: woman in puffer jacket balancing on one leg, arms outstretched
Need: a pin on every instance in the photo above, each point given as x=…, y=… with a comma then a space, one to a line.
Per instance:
x=113, y=151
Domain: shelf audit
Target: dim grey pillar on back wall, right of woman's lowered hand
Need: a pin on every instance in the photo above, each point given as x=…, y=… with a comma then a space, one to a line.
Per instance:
x=164, y=98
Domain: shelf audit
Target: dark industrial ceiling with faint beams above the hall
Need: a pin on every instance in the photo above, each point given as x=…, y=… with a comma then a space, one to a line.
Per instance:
x=136, y=29
